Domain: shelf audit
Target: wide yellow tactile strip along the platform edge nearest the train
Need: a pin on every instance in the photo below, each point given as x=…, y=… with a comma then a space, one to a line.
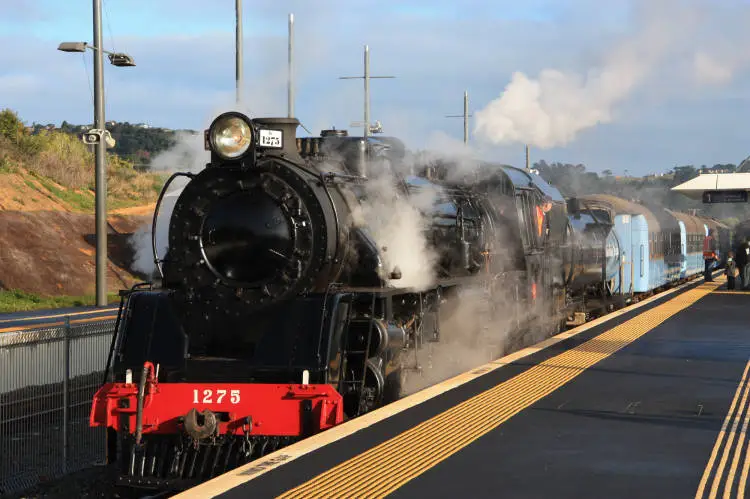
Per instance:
x=386, y=467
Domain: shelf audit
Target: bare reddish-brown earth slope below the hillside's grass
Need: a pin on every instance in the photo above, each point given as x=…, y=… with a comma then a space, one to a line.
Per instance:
x=49, y=249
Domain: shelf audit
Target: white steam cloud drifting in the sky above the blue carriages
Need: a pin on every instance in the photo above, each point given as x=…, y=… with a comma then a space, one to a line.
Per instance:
x=552, y=109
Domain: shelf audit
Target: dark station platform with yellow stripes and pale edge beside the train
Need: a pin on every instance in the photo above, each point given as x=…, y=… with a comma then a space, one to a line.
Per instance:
x=650, y=401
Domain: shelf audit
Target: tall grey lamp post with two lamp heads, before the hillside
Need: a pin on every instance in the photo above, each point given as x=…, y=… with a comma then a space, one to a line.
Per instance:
x=99, y=137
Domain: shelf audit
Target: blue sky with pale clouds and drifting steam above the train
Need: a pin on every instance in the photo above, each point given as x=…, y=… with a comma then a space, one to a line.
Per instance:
x=627, y=96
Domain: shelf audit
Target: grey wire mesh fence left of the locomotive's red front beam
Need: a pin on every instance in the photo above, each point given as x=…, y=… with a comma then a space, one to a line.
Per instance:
x=48, y=378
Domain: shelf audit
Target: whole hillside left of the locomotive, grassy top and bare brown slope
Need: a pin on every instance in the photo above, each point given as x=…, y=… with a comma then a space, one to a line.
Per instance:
x=47, y=217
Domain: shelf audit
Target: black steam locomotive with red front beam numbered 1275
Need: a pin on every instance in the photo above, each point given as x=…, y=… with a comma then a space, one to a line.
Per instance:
x=279, y=311
